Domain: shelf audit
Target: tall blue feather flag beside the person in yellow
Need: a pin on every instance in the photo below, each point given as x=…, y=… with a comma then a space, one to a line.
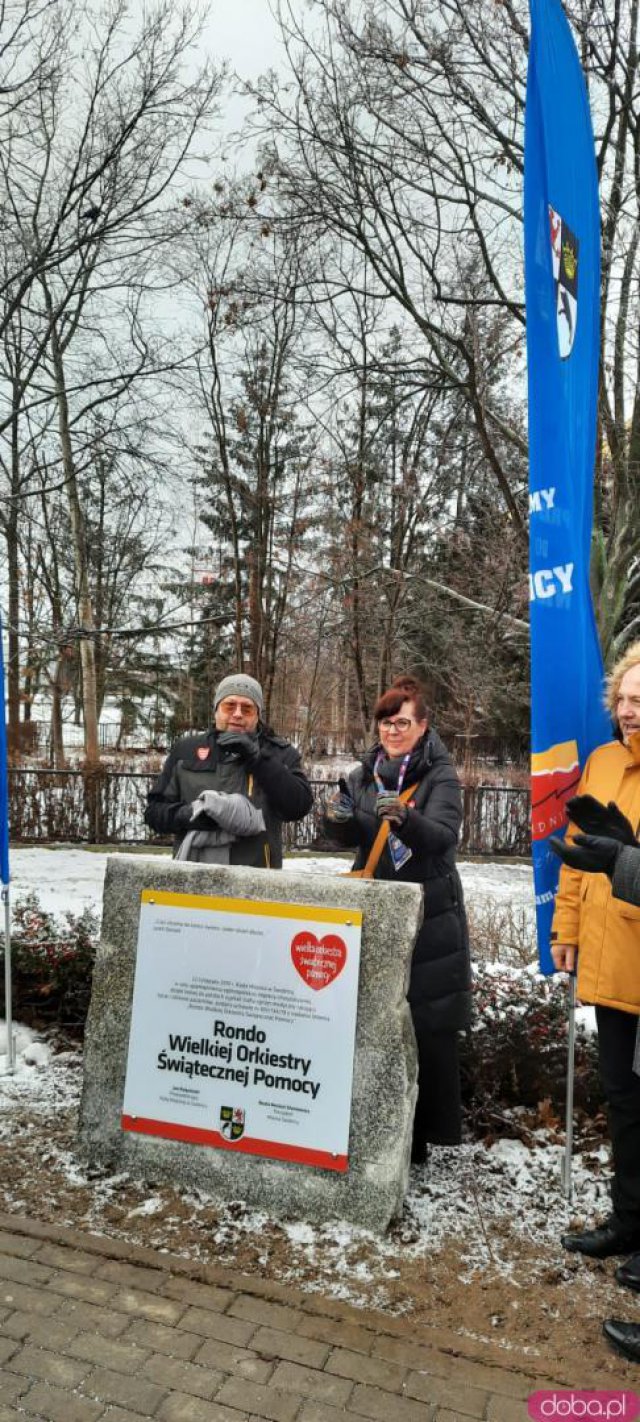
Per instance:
x=562, y=289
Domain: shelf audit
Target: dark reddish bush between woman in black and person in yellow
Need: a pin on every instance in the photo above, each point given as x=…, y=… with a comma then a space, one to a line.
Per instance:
x=516, y=1056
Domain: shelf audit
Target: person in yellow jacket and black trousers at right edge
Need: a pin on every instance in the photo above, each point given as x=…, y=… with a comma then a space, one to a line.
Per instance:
x=602, y=936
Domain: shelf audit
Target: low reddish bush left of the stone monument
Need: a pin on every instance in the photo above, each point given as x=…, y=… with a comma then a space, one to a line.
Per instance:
x=53, y=963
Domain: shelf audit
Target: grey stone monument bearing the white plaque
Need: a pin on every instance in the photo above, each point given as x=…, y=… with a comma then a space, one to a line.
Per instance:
x=250, y=1036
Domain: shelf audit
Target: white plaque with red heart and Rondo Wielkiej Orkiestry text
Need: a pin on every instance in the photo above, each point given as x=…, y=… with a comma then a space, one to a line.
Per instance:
x=244, y=1026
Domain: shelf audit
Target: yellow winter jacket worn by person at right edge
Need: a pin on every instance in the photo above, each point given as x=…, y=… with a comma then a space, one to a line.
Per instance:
x=605, y=931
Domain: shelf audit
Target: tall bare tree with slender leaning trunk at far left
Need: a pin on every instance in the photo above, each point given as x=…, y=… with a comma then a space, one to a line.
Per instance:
x=92, y=201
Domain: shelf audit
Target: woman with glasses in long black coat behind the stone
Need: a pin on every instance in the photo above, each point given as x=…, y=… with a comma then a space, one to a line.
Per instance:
x=409, y=780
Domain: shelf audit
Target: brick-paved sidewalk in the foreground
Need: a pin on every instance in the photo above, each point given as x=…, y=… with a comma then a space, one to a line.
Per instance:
x=95, y=1329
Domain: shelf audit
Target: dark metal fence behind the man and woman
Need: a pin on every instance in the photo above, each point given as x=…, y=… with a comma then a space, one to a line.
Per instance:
x=66, y=807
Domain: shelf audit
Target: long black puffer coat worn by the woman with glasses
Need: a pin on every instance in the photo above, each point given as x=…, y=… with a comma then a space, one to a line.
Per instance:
x=440, y=989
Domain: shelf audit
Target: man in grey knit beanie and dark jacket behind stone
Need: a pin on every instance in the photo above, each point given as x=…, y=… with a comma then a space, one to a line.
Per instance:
x=224, y=796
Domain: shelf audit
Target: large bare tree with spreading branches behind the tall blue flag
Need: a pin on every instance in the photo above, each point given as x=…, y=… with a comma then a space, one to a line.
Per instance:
x=402, y=137
